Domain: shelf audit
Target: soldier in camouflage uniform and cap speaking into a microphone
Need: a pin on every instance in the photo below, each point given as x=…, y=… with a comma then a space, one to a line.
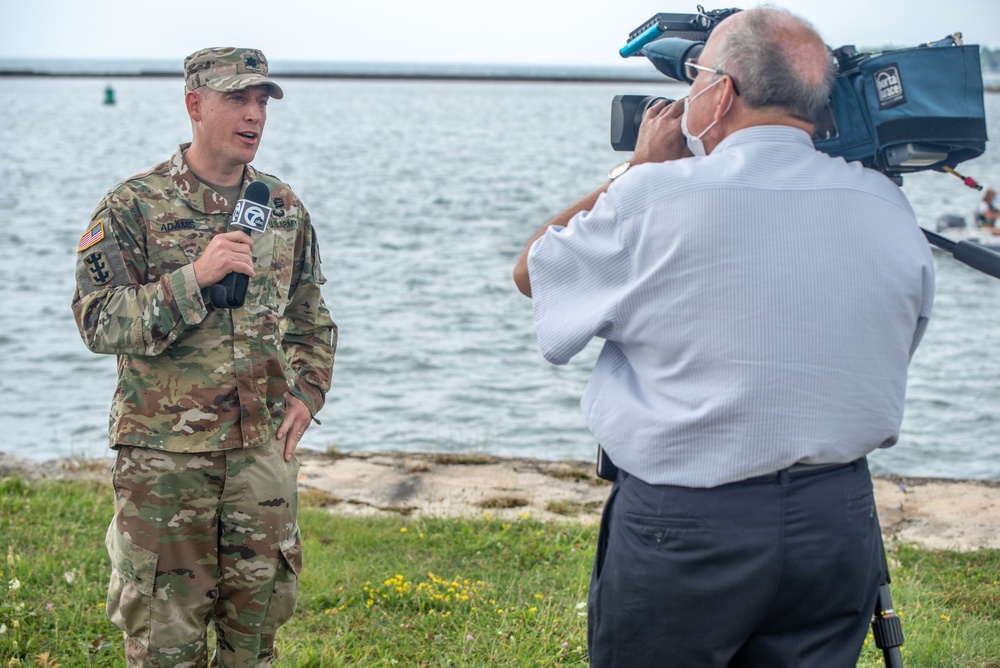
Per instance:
x=210, y=402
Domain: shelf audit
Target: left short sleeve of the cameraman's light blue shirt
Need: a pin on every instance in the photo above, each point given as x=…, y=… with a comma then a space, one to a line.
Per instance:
x=578, y=275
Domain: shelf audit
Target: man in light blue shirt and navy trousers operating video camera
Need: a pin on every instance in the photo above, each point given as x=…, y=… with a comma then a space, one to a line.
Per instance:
x=760, y=302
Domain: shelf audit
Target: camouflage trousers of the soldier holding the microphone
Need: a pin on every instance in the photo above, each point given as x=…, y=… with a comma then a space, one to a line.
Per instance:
x=199, y=539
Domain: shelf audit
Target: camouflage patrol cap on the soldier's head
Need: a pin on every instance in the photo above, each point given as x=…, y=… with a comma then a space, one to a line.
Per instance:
x=227, y=69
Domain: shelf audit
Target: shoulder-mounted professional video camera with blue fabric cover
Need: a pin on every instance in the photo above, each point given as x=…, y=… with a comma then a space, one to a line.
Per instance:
x=896, y=111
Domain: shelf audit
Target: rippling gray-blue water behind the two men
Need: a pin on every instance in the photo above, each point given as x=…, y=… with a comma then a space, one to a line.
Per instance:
x=422, y=194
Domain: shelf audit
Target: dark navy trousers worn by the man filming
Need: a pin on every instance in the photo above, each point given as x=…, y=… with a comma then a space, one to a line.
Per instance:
x=780, y=570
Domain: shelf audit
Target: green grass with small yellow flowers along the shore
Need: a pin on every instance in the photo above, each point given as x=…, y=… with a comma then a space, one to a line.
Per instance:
x=410, y=592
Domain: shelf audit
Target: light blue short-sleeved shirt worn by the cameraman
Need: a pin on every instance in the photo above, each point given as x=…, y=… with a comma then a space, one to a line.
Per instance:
x=759, y=308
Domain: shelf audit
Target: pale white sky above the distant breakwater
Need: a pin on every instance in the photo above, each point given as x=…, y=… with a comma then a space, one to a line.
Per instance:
x=585, y=32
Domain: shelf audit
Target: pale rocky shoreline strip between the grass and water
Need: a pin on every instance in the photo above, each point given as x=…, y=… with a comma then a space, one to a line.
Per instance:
x=931, y=513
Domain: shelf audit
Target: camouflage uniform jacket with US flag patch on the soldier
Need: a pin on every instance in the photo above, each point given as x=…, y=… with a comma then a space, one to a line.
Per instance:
x=193, y=378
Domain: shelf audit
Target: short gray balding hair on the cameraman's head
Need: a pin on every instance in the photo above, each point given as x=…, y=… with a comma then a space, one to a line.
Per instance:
x=764, y=67
